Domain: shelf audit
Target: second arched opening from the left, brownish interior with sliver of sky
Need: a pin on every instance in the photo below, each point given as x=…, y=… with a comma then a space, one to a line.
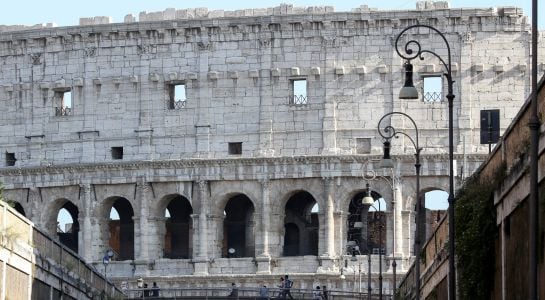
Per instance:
x=119, y=232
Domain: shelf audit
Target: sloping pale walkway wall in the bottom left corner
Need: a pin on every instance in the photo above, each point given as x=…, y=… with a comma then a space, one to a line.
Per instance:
x=37, y=265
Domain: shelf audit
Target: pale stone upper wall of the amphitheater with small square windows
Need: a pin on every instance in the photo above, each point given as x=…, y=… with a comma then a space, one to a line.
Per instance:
x=237, y=68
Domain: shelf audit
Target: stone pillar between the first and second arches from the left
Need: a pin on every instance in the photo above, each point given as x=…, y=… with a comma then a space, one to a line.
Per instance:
x=85, y=235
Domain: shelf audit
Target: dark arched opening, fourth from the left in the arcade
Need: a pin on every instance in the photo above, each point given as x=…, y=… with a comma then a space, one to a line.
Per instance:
x=238, y=228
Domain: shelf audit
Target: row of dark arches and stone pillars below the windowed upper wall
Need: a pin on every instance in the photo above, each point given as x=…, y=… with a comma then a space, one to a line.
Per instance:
x=200, y=221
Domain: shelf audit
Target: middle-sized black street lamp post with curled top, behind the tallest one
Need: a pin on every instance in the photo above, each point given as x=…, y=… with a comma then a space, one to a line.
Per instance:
x=387, y=133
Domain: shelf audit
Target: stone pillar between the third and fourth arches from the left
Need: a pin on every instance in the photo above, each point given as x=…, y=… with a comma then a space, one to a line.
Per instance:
x=201, y=257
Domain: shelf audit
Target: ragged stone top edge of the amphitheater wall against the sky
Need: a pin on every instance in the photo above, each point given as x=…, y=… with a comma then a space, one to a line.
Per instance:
x=495, y=18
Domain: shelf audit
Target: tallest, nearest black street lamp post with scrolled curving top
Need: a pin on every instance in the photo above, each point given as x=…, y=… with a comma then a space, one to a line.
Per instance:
x=410, y=51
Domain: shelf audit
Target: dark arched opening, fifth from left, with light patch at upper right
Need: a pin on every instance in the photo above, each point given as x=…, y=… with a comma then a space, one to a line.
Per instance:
x=301, y=225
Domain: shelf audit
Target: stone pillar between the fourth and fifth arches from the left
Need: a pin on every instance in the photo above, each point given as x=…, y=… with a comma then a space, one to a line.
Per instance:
x=264, y=258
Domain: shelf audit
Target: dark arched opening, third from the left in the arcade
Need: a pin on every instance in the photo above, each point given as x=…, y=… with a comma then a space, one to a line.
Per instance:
x=178, y=228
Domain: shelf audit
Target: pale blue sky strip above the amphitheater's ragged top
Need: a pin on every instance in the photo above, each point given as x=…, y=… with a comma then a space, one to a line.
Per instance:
x=68, y=12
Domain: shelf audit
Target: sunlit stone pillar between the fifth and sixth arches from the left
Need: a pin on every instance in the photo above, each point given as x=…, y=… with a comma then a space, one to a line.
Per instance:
x=327, y=257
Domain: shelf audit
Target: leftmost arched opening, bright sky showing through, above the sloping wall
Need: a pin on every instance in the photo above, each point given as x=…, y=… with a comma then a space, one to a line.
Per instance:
x=68, y=225
